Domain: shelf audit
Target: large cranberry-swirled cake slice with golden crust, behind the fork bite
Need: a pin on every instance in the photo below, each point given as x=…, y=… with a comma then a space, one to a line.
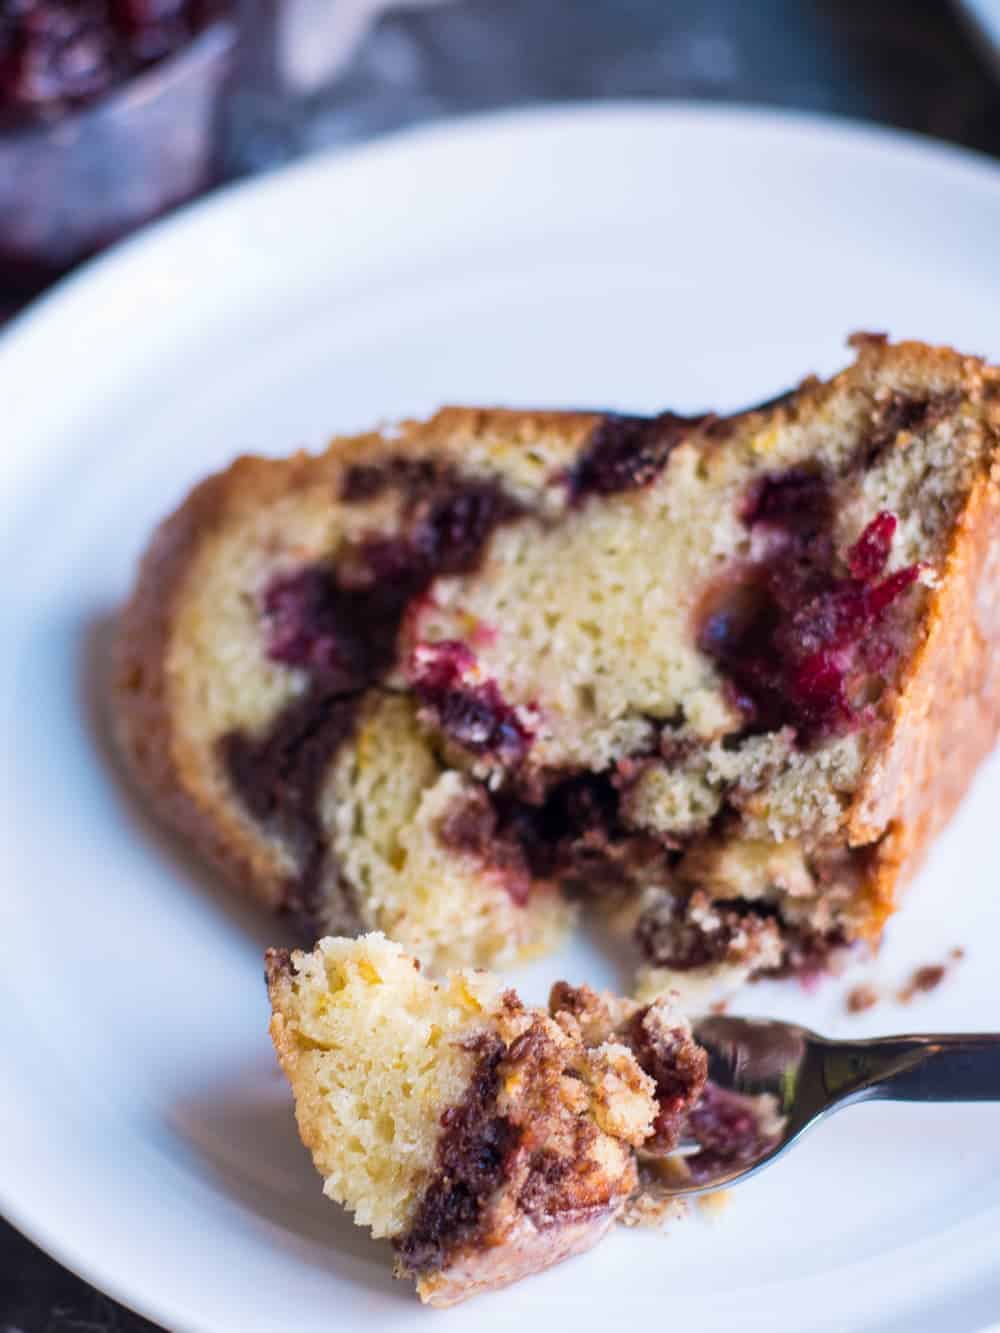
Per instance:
x=434, y=679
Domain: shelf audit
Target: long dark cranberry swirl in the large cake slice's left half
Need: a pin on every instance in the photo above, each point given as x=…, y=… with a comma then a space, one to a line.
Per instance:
x=341, y=626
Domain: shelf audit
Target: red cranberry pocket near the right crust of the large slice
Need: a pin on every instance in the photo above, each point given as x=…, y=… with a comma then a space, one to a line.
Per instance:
x=798, y=642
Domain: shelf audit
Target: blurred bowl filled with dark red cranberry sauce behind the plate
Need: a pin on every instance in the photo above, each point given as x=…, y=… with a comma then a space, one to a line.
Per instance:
x=109, y=115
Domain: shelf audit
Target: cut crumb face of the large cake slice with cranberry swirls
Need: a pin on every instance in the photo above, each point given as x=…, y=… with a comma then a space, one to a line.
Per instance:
x=646, y=672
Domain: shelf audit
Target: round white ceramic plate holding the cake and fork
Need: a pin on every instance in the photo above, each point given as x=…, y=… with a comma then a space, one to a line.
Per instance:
x=634, y=258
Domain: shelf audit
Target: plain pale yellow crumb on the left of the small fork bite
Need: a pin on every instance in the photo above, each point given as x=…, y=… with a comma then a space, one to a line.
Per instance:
x=383, y=1052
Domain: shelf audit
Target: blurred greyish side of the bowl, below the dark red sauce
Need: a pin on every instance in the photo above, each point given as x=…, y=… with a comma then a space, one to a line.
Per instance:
x=71, y=187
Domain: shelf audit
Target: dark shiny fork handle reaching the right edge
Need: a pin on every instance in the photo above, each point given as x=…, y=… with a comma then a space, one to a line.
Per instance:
x=939, y=1068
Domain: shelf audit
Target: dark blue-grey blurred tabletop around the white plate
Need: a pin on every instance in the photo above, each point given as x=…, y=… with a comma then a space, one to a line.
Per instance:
x=909, y=65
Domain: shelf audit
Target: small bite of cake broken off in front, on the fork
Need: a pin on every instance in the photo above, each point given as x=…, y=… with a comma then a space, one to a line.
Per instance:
x=485, y=1139
